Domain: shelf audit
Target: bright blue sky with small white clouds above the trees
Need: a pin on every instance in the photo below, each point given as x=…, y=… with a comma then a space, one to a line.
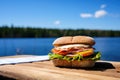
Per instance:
x=63, y=14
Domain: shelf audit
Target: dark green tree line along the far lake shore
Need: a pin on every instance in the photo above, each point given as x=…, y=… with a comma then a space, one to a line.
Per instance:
x=31, y=32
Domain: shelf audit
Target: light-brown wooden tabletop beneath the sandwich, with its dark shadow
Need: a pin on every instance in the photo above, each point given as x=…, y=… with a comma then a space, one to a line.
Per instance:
x=45, y=70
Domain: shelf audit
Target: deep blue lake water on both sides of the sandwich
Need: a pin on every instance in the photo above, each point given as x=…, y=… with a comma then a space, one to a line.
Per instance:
x=109, y=47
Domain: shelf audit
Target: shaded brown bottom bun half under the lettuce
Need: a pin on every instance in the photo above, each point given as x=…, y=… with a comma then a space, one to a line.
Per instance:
x=74, y=64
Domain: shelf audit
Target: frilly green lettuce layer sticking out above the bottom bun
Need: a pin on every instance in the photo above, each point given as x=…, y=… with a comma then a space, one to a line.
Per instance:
x=94, y=57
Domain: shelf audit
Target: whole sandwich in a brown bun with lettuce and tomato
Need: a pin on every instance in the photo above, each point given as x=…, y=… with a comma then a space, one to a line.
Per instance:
x=74, y=51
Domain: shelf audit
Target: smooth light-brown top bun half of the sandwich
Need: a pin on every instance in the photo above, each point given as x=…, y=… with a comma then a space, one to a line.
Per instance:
x=66, y=40
